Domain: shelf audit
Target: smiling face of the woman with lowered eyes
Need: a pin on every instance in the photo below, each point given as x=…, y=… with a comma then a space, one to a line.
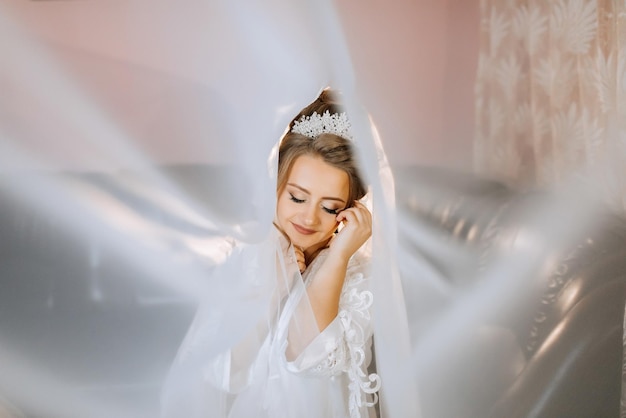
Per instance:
x=308, y=204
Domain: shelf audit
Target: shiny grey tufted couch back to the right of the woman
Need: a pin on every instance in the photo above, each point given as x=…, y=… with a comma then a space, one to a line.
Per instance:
x=565, y=359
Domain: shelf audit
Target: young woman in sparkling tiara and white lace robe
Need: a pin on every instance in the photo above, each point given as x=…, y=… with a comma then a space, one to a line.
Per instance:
x=308, y=352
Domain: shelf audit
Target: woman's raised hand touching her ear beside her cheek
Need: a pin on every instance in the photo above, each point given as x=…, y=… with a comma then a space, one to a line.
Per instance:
x=357, y=228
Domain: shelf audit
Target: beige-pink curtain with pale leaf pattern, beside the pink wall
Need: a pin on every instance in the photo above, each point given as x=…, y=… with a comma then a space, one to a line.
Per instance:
x=551, y=93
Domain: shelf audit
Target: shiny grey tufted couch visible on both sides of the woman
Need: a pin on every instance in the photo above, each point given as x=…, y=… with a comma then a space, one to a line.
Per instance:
x=559, y=354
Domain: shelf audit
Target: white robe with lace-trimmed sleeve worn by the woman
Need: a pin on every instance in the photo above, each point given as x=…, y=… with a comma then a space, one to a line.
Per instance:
x=298, y=371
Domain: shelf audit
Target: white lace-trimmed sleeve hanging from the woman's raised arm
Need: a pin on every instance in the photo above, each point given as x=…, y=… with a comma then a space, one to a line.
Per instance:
x=345, y=345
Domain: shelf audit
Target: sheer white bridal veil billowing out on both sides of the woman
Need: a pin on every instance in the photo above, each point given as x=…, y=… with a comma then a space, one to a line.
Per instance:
x=125, y=182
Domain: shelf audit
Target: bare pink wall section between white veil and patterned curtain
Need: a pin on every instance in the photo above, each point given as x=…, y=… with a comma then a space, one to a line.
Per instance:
x=420, y=61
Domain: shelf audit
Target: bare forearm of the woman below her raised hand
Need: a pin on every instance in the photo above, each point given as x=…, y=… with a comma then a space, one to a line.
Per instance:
x=325, y=289
